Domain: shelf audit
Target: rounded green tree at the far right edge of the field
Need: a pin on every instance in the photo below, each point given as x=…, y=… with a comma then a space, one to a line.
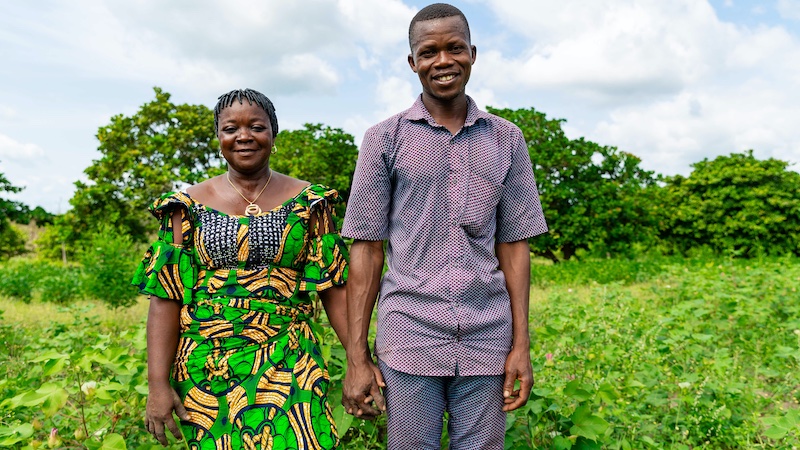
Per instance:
x=734, y=204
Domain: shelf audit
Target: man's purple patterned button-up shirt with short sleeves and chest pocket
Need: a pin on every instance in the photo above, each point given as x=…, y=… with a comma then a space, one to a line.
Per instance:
x=442, y=201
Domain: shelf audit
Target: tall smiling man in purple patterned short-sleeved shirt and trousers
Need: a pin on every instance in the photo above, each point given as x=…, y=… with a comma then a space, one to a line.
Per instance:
x=451, y=189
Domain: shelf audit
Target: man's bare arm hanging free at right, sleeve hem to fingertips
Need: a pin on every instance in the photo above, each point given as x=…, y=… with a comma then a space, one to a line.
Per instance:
x=515, y=263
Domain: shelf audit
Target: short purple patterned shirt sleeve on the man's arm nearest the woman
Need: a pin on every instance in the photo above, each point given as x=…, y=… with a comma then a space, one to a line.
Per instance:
x=367, y=214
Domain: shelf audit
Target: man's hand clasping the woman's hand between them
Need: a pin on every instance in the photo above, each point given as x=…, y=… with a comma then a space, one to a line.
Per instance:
x=362, y=386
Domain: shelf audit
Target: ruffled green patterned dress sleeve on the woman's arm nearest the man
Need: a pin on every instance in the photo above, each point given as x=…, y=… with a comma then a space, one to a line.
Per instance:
x=327, y=260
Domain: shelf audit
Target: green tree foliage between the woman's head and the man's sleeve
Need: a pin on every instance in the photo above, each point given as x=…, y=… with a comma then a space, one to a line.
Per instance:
x=318, y=154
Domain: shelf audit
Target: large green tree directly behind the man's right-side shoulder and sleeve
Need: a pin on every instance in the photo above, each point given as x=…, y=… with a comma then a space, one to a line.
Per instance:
x=594, y=197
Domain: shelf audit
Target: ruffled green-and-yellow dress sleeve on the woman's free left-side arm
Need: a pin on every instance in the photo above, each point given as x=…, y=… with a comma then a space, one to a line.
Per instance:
x=167, y=269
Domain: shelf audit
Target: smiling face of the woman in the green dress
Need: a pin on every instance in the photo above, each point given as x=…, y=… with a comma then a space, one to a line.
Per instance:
x=245, y=137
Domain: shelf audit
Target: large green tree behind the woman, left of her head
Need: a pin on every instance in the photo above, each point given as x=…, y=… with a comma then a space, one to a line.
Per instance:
x=158, y=149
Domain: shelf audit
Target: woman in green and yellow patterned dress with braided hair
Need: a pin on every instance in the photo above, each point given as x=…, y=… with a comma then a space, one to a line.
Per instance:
x=230, y=349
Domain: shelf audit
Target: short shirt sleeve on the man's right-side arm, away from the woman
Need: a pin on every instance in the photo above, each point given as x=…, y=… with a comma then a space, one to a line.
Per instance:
x=519, y=213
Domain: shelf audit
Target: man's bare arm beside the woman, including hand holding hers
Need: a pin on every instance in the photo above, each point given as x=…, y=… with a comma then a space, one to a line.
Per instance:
x=363, y=380
